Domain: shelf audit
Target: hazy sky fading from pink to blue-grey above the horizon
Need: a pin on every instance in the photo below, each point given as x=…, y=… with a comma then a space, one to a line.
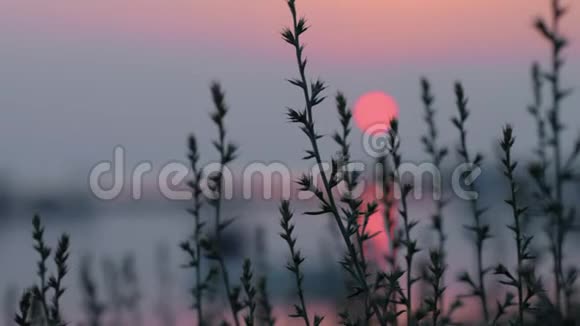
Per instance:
x=79, y=77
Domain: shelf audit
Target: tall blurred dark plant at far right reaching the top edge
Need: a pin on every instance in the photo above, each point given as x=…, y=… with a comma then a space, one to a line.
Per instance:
x=561, y=218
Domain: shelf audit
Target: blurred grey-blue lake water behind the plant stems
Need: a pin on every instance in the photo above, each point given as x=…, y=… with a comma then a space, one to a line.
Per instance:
x=151, y=233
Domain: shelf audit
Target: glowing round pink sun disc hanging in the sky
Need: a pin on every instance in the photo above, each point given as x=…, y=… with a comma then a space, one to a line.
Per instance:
x=374, y=110
